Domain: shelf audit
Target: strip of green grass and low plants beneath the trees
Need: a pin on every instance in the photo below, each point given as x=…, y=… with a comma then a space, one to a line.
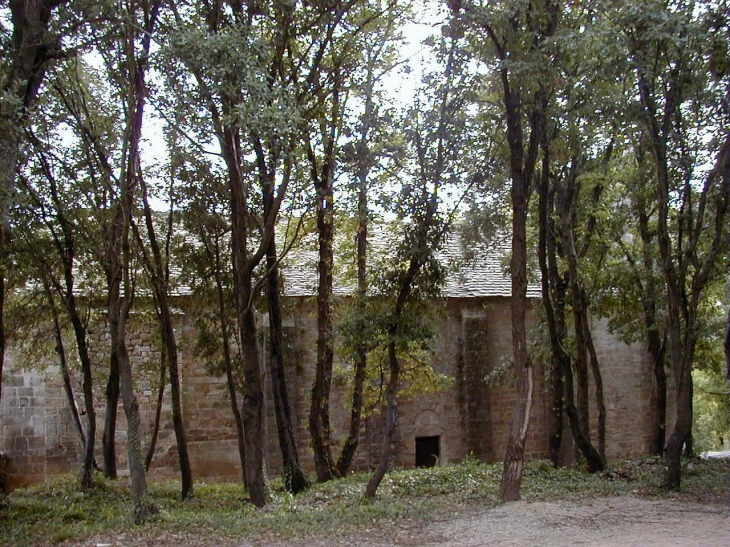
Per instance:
x=57, y=511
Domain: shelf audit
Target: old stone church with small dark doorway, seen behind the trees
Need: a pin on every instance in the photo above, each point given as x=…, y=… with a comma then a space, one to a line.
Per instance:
x=472, y=416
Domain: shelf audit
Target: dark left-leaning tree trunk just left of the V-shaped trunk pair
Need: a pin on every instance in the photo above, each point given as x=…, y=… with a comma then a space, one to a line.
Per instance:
x=294, y=478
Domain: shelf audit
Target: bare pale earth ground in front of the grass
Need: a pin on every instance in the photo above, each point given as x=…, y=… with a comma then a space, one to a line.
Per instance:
x=606, y=522
